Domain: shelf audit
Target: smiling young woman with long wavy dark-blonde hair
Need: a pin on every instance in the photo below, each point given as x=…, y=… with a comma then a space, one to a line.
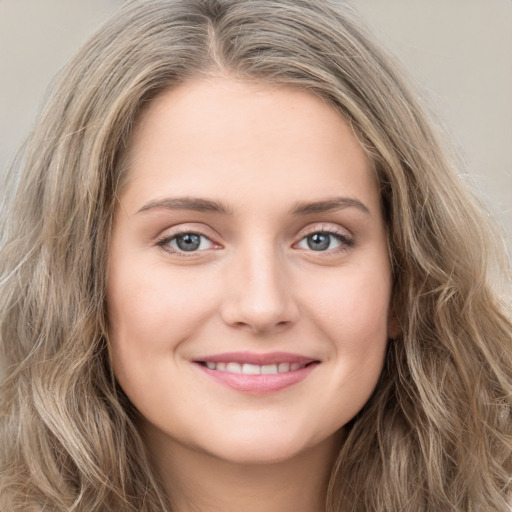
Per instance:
x=240, y=273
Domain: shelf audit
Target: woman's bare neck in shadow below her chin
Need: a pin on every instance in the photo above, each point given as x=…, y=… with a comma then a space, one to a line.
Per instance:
x=199, y=482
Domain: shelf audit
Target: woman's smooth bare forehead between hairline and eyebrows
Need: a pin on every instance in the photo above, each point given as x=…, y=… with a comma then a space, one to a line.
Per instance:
x=213, y=137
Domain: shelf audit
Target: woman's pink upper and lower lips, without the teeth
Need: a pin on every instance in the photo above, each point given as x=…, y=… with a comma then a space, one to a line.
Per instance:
x=262, y=383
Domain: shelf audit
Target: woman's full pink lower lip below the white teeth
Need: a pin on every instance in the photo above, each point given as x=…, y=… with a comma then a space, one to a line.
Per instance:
x=258, y=384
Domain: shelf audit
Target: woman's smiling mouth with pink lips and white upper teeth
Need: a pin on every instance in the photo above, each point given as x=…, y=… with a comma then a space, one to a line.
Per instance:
x=257, y=373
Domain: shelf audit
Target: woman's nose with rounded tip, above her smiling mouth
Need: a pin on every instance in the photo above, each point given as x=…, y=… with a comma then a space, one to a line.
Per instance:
x=259, y=295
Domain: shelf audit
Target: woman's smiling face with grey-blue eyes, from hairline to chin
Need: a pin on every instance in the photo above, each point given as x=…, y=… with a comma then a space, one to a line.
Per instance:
x=249, y=282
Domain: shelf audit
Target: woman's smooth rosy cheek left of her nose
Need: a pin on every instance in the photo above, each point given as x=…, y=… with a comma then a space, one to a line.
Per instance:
x=151, y=310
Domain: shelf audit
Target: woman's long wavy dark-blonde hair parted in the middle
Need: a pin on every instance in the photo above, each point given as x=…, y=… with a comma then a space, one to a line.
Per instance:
x=437, y=432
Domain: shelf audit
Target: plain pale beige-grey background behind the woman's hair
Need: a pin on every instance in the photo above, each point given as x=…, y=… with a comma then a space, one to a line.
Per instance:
x=459, y=50
